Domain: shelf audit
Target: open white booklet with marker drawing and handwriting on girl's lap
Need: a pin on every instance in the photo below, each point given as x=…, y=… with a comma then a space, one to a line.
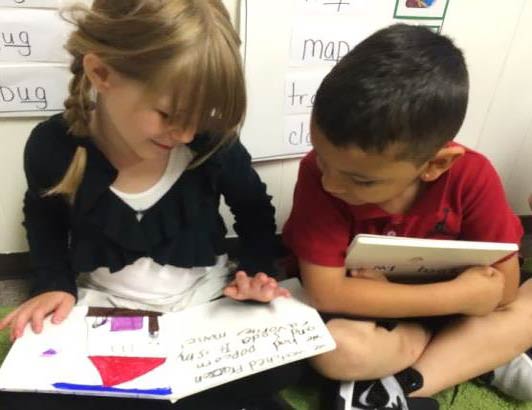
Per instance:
x=164, y=356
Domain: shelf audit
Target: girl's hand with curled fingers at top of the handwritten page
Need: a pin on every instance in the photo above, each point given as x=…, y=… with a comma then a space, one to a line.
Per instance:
x=261, y=288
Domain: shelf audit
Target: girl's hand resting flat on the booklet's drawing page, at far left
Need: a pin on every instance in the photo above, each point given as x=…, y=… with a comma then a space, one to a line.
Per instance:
x=36, y=309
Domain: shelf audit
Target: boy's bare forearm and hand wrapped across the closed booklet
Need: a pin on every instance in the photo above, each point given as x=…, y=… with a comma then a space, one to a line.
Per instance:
x=476, y=291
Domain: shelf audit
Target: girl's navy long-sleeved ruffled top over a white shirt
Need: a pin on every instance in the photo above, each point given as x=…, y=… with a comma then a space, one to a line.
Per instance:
x=184, y=228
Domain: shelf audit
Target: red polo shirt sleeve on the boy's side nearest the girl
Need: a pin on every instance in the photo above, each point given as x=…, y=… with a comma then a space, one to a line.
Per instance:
x=318, y=229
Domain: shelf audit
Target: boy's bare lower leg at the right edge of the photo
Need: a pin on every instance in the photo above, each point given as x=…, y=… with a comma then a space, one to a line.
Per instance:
x=472, y=346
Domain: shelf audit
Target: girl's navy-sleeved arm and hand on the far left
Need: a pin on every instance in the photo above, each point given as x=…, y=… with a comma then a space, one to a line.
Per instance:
x=47, y=228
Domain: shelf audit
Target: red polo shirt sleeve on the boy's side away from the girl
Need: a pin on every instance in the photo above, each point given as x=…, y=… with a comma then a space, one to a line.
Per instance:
x=487, y=215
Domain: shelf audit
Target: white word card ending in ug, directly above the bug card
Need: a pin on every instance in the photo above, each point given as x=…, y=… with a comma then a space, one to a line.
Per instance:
x=32, y=35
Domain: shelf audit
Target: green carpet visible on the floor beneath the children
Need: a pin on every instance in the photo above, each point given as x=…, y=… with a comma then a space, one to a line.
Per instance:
x=469, y=397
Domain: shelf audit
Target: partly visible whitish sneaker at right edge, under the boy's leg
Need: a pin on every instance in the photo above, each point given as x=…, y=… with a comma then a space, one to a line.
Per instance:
x=514, y=378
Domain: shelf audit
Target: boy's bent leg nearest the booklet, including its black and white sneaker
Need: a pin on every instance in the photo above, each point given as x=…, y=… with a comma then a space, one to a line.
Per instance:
x=369, y=355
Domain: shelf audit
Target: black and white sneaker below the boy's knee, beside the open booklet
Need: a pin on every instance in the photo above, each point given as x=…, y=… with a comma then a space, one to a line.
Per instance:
x=387, y=393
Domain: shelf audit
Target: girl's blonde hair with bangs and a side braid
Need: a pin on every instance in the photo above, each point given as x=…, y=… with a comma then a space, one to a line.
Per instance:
x=189, y=44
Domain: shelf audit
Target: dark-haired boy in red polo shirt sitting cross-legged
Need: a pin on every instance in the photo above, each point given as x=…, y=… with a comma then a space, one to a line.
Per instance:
x=384, y=163
